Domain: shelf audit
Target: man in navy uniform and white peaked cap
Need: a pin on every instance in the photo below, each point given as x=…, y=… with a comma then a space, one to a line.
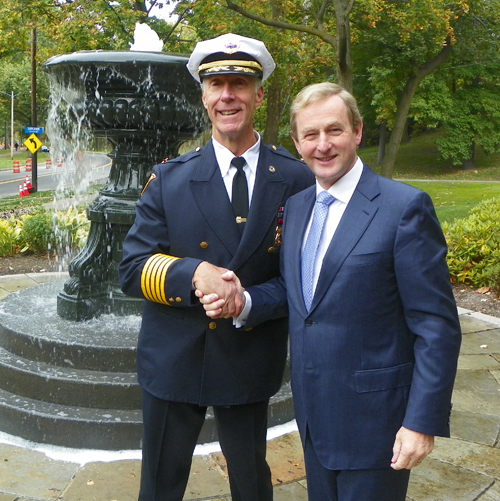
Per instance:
x=199, y=215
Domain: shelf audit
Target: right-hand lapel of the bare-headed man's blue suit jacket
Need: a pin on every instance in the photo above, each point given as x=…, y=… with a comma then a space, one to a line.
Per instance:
x=357, y=217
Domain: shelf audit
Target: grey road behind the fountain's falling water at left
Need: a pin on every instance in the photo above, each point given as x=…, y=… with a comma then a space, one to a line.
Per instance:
x=49, y=179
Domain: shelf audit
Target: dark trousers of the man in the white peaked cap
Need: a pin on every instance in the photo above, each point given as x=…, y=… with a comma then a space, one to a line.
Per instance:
x=170, y=434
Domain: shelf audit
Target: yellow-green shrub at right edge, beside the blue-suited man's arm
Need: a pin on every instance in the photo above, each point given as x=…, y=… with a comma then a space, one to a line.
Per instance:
x=474, y=243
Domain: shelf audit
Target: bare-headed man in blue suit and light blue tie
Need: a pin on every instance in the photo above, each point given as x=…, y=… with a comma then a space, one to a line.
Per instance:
x=374, y=330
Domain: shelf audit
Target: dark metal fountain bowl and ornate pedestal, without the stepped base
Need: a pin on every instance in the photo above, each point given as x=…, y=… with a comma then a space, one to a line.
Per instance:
x=146, y=104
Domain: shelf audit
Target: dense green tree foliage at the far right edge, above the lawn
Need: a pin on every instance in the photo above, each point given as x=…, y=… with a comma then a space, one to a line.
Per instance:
x=473, y=82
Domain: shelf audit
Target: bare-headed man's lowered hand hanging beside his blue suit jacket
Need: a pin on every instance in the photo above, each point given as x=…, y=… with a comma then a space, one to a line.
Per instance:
x=410, y=449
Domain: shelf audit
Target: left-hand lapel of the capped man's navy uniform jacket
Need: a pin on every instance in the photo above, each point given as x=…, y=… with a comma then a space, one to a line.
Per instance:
x=212, y=199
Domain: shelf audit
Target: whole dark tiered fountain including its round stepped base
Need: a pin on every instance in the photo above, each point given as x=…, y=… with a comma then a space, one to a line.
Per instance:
x=67, y=358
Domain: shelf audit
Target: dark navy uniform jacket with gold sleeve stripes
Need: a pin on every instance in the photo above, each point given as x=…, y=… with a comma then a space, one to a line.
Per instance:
x=185, y=217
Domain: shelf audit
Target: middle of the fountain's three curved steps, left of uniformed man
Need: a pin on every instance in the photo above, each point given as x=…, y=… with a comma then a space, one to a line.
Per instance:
x=66, y=386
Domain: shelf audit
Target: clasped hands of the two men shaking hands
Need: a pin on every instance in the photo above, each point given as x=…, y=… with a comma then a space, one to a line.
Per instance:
x=219, y=290
